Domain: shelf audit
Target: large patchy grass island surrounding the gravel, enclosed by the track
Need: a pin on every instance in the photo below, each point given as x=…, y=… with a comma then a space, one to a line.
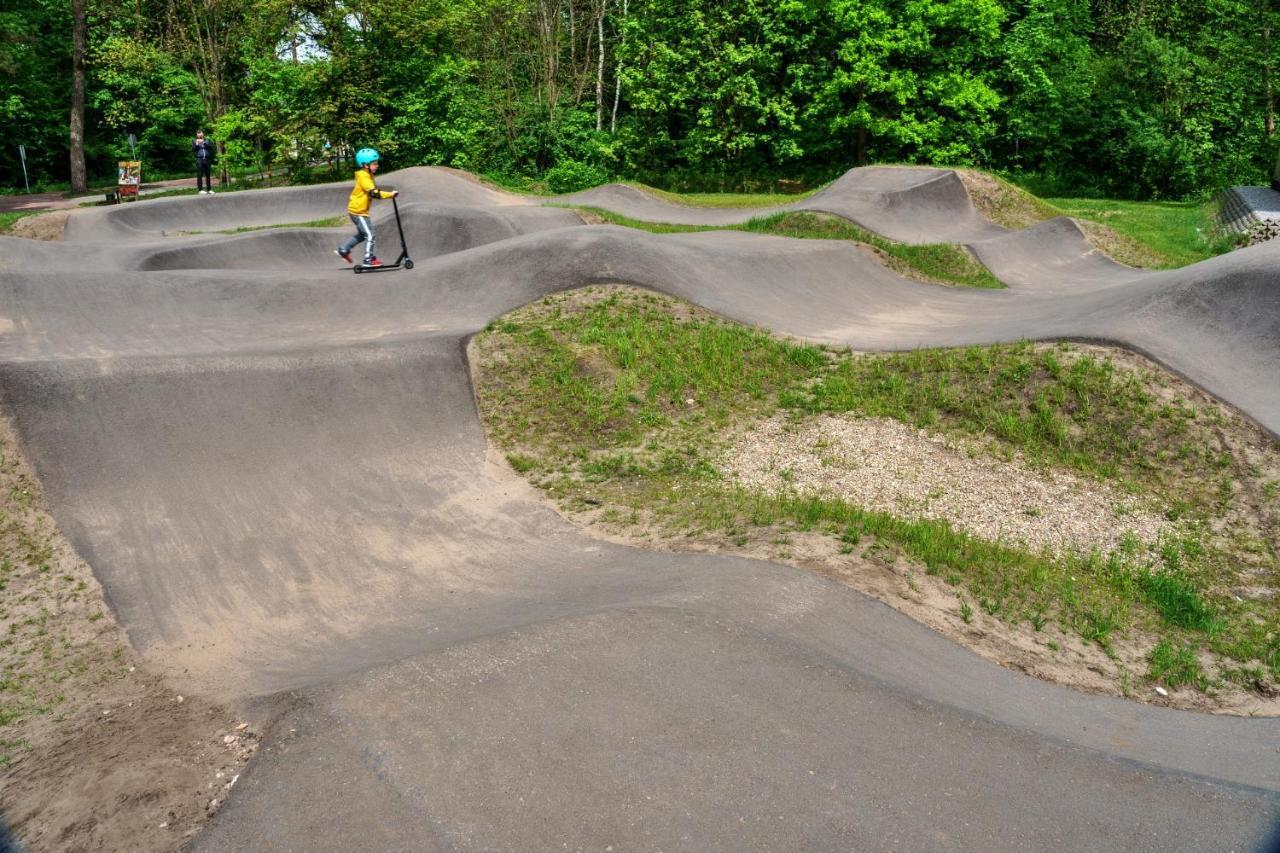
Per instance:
x=625, y=399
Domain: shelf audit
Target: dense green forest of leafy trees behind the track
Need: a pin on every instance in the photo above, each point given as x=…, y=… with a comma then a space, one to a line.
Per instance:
x=1131, y=99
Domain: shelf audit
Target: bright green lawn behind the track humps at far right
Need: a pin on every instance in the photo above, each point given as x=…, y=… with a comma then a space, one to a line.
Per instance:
x=1178, y=231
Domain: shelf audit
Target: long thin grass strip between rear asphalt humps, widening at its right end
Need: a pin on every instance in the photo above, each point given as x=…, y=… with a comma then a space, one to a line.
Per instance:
x=941, y=263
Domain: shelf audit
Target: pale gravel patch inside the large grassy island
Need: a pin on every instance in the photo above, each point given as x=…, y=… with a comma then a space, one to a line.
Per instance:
x=886, y=466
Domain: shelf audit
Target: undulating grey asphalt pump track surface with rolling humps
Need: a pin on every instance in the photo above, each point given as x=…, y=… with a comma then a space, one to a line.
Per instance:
x=278, y=473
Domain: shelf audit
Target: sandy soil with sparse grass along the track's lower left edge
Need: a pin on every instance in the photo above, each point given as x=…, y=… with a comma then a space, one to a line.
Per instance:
x=97, y=751
